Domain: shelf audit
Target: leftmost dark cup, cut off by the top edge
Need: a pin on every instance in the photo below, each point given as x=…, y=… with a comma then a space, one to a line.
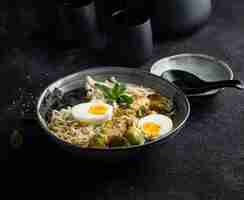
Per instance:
x=79, y=23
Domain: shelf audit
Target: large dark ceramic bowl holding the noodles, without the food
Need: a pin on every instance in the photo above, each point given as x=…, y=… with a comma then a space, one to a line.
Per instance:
x=128, y=75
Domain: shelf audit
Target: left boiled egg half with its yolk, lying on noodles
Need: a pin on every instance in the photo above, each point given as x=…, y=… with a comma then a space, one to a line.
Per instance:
x=92, y=112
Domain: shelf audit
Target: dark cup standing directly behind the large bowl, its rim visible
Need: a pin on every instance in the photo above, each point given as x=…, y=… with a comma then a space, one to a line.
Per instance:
x=131, y=37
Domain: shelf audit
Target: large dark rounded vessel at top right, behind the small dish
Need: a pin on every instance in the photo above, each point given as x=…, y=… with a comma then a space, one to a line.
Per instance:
x=179, y=16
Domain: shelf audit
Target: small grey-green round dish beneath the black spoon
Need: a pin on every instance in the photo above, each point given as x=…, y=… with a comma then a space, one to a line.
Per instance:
x=205, y=67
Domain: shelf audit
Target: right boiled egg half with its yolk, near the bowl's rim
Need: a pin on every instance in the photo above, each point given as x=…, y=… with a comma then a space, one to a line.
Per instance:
x=155, y=125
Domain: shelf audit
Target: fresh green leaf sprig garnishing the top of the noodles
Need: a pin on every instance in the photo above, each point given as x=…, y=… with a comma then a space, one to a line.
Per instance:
x=116, y=94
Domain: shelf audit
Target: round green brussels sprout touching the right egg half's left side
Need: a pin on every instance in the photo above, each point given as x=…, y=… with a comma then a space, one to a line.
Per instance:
x=135, y=136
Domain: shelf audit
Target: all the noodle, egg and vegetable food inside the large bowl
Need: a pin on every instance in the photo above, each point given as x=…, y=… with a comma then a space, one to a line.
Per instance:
x=113, y=114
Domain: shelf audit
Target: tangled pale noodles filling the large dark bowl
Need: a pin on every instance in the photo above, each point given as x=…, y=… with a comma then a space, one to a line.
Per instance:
x=65, y=127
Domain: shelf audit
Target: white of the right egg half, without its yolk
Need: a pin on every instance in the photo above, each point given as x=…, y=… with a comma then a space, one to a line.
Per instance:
x=165, y=123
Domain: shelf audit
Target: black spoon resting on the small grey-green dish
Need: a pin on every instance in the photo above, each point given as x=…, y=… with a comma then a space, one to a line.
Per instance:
x=191, y=84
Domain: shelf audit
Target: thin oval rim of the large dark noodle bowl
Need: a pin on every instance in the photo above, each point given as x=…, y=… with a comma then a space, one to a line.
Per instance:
x=173, y=132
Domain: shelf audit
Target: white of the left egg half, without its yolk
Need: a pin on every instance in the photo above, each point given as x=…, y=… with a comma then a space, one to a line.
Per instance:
x=81, y=113
